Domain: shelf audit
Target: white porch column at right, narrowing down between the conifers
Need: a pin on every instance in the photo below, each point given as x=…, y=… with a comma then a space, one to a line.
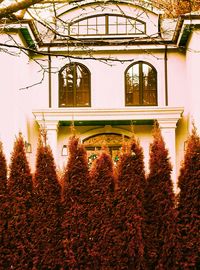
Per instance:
x=168, y=128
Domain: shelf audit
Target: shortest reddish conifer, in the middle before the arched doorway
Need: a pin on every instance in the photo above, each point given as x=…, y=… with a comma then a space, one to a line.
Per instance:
x=102, y=231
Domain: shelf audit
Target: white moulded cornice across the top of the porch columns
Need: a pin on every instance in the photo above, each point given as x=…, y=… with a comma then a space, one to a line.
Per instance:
x=162, y=114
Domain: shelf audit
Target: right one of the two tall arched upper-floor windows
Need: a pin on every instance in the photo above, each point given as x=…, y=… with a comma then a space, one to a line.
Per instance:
x=141, y=85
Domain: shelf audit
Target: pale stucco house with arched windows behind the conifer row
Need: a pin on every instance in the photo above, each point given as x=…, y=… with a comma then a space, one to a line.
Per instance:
x=107, y=67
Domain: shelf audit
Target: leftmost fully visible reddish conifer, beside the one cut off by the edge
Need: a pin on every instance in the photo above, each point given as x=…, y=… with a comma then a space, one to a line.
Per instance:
x=20, y=212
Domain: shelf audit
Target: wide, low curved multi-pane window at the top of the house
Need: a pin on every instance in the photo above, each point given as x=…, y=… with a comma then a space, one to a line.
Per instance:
x=107, y=24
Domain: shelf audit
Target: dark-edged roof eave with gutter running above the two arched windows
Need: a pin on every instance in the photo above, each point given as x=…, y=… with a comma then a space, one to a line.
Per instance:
x=29, y=32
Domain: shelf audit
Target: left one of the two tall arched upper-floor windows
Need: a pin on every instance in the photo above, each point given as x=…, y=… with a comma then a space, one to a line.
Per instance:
x=74, y=86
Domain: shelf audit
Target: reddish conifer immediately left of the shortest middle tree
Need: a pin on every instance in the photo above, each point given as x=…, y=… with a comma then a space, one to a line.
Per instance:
x=76, y=203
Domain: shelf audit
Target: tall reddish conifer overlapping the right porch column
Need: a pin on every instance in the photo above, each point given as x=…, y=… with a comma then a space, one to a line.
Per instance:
x=159, y=203
